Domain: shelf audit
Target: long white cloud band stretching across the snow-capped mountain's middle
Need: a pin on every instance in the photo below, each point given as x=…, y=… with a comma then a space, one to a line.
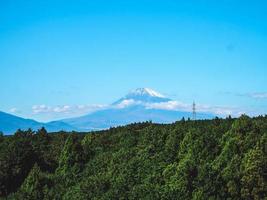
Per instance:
x=69, y=111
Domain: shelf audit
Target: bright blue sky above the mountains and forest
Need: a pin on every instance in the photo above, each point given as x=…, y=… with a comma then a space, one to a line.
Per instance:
x=56, y=54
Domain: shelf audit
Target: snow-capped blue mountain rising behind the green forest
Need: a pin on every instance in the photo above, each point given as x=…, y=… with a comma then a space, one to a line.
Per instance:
x=142, y=104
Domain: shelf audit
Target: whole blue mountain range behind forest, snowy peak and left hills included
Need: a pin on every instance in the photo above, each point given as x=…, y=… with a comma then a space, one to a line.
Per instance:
x=142, y=104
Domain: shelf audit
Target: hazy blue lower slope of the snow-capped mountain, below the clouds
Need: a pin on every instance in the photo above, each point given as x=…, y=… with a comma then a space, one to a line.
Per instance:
x=115, y=117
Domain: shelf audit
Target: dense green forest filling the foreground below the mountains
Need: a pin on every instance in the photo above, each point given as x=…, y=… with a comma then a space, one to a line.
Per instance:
x=205, y=159
